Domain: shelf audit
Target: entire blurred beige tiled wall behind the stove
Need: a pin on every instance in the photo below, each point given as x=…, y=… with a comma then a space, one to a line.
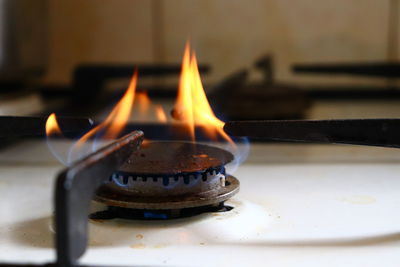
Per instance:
x=229, y=34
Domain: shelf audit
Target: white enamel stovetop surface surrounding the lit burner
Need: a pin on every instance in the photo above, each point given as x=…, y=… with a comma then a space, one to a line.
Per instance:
x=299, y=205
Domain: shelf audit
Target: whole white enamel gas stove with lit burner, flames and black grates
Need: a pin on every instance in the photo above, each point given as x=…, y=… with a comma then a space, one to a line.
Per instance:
x=168, y=200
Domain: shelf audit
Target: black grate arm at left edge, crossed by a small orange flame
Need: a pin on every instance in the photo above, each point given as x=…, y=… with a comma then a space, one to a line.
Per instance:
x=11, y=126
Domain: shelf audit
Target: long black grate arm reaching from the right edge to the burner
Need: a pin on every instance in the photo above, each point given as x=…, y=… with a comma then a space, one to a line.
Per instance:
x=370, y=132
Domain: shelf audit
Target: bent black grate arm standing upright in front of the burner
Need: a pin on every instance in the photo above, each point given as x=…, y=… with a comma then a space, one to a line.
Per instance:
x=74, y=190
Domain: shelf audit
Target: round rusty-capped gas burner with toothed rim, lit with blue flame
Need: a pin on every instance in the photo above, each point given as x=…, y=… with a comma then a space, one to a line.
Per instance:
x=168, y=180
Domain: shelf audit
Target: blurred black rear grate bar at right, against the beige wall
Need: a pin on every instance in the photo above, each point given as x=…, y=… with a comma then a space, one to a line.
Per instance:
x=374, y=69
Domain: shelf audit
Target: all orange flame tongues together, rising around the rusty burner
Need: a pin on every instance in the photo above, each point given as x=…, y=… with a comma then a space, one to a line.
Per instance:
x=191, y=107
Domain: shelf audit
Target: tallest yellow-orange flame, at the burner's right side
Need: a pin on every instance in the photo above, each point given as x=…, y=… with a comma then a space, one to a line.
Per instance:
x=192, y=106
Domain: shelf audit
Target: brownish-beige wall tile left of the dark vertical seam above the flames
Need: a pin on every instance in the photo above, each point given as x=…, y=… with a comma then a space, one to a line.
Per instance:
x=97, y=31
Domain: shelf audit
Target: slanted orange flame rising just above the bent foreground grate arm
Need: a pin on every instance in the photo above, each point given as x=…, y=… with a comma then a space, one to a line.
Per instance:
x=117, y=119
